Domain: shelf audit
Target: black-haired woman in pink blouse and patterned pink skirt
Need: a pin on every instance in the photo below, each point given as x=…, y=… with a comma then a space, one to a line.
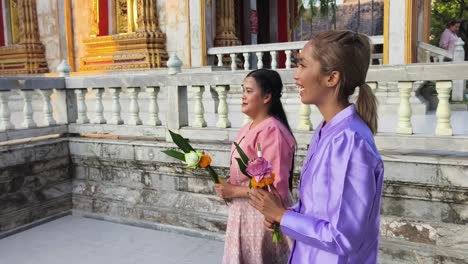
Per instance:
x=247, y=241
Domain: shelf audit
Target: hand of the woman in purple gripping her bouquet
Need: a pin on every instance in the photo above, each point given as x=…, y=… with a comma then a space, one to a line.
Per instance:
x=269, y=204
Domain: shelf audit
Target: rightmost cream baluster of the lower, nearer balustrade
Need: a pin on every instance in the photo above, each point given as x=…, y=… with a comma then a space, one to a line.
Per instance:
x=443, y=128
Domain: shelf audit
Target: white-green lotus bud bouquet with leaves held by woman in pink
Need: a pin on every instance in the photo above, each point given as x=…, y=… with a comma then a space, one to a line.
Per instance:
x=192, y=158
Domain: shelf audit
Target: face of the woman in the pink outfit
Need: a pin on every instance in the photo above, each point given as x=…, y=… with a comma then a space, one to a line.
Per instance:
x=253, y=99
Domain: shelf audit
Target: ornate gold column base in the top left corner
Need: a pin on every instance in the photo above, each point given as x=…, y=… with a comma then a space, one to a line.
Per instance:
x=28, y=54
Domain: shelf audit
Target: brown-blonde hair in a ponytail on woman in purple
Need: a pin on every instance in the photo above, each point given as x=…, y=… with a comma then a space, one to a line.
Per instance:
x=348, y=53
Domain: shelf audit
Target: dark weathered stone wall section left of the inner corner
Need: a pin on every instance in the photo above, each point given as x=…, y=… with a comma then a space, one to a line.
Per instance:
x=35, y=182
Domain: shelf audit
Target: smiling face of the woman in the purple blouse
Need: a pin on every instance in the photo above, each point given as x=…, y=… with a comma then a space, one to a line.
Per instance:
x=310, y=81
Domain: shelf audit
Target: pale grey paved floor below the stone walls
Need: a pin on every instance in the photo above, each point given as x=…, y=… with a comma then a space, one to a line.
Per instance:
x=78, y=240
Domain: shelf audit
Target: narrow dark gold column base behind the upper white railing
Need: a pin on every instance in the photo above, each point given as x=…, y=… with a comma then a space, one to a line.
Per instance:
x=225, y=28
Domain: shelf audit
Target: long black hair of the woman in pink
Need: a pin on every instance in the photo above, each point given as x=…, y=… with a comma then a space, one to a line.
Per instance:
x=269, y=81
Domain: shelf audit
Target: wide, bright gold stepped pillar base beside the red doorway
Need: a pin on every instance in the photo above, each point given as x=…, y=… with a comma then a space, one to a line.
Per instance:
x=142, y=46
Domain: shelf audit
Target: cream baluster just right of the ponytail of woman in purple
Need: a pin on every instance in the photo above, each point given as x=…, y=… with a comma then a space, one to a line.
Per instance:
x=404, y=111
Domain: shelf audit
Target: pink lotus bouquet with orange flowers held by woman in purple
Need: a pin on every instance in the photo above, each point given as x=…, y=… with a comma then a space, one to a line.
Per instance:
x=261, y=175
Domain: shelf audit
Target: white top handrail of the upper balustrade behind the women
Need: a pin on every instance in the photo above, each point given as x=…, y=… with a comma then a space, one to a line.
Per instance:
x=293, y=45
